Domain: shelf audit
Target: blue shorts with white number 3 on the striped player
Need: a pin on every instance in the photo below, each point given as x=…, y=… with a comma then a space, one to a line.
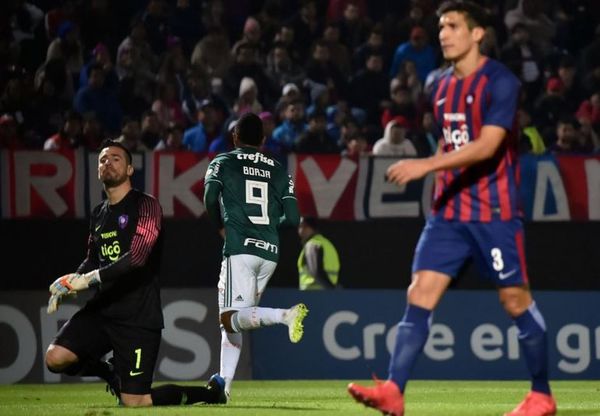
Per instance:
x=496, y=247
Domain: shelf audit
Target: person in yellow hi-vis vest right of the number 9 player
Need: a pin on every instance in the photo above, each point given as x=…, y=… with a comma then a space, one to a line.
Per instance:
x=318, y=262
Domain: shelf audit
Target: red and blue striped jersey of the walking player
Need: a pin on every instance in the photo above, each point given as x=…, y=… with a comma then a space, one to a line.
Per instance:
x=487, y=190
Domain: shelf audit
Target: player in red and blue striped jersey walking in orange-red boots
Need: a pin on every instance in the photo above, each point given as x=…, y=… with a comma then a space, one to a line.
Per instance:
x=475, y=213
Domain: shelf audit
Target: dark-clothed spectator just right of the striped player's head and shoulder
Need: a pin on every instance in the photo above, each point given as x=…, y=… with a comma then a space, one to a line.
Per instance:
x=524, y=59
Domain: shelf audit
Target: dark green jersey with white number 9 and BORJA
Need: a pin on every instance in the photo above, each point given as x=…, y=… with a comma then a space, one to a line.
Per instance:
x=255, y=193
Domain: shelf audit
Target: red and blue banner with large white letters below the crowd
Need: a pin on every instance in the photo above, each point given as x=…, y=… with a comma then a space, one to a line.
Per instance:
x=38, y=184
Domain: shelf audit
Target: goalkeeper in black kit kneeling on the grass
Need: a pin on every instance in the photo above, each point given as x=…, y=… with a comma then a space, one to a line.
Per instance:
x=125, y=314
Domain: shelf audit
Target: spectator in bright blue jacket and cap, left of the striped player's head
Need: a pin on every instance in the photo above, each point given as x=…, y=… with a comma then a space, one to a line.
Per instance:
x=418, y=50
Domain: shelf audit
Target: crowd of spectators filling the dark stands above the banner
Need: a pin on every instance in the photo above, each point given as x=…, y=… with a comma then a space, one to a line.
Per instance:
x=344, y=77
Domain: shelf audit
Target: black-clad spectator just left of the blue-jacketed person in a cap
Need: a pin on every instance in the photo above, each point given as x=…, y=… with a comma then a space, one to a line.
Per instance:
x=369, y=88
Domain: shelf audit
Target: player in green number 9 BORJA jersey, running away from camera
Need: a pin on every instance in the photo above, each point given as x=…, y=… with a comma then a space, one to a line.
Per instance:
x=249, y=195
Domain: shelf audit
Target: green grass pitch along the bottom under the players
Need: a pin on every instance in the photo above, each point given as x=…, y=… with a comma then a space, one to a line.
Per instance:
x=314, y=398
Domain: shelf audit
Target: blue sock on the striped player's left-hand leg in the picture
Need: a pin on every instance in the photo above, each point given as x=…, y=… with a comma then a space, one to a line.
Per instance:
x=413, y=331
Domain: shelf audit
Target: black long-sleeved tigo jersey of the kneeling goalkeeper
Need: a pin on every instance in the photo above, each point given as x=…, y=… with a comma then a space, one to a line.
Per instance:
x=124, y=244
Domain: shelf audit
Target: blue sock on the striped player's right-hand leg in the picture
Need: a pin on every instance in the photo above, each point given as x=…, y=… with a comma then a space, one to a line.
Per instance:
x=532, y=337
